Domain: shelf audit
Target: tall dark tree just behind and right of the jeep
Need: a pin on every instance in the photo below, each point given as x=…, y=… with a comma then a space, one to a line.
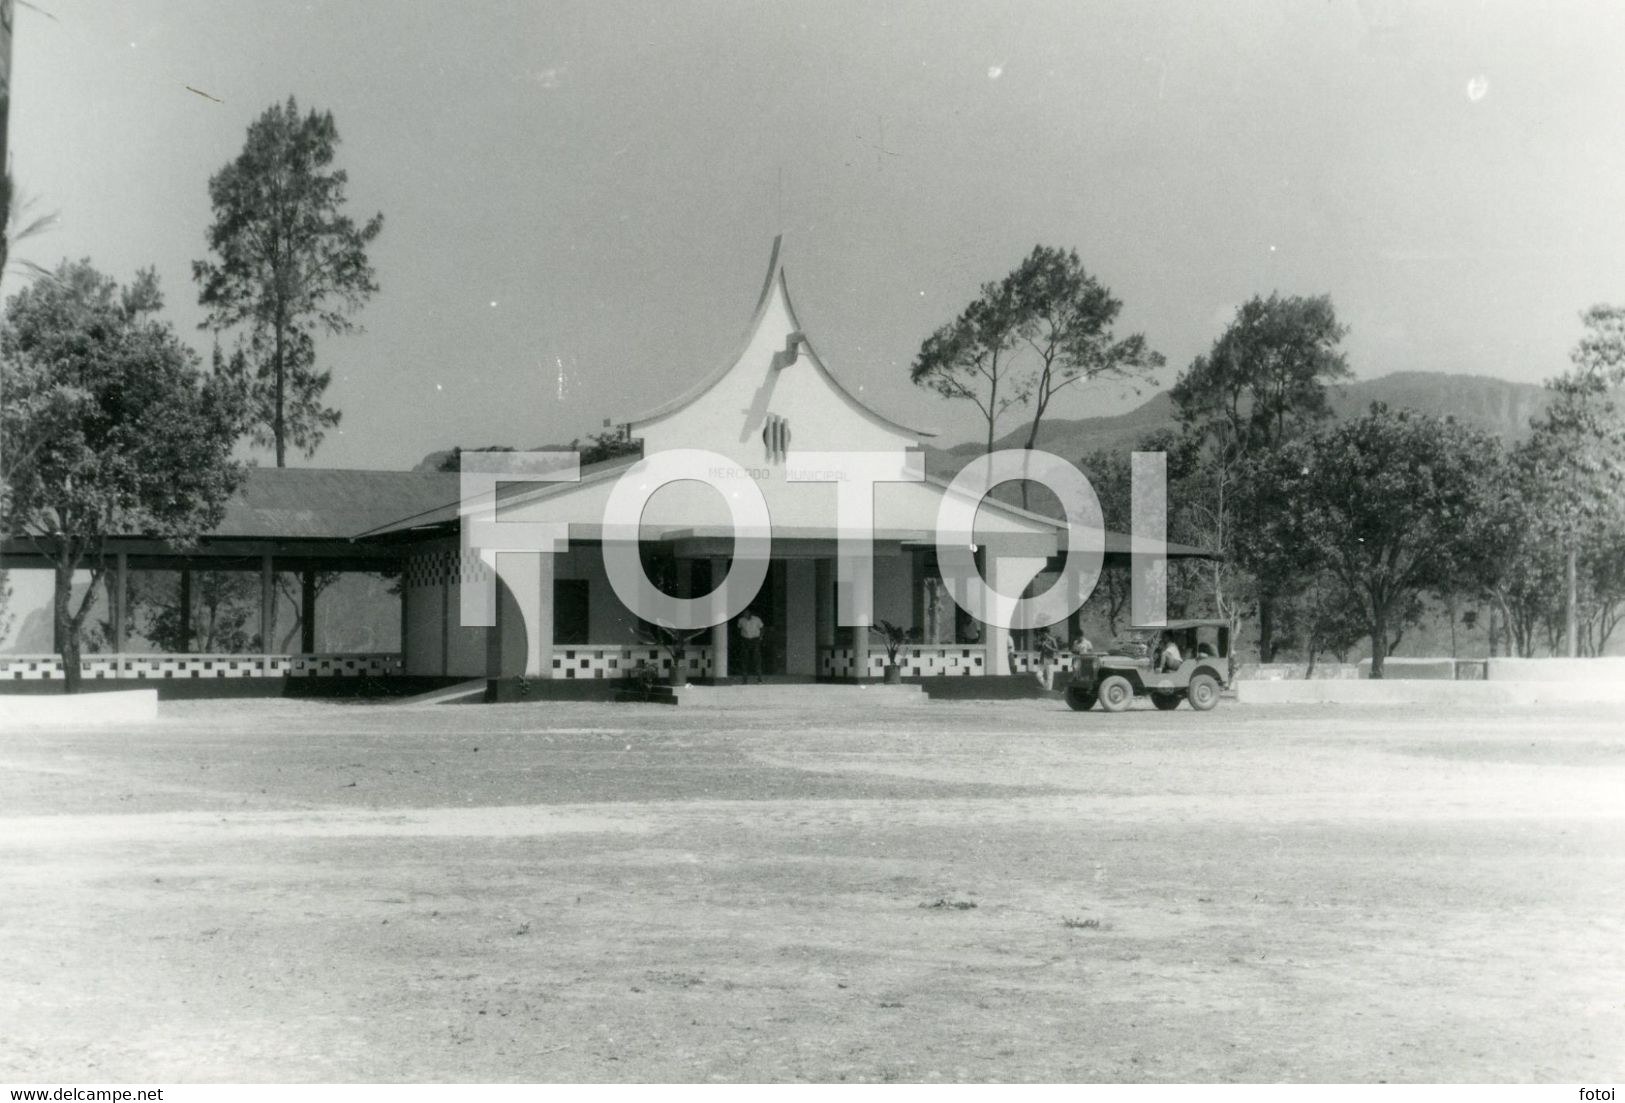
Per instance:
x=1262, y=386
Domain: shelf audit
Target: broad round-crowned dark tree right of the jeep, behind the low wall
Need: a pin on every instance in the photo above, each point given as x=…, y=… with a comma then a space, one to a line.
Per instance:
x=1390, y=506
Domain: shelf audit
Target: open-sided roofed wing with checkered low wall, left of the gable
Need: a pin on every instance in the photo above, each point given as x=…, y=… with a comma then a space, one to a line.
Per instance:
x=279, y=590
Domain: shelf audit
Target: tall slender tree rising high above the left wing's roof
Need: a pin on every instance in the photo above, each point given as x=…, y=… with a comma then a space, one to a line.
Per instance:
x=287, y=264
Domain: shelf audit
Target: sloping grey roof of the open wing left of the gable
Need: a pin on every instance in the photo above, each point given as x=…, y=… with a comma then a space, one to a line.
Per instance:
x=329, y=503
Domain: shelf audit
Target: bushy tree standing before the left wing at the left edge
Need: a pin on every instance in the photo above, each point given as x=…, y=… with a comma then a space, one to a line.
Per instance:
x=119, y=428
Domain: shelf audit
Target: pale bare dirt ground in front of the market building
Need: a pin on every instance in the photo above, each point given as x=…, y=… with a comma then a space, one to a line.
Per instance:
x=292, y=891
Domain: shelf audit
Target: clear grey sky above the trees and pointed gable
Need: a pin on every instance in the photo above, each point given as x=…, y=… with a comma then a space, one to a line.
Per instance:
x=581, y=199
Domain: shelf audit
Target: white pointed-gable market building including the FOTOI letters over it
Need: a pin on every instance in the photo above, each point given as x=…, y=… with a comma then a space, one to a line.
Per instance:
x=508, y=571
